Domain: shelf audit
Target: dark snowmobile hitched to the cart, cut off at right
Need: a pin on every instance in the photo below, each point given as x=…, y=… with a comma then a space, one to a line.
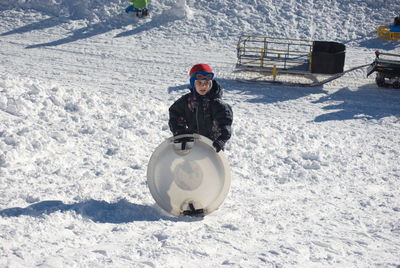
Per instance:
x=387, y=68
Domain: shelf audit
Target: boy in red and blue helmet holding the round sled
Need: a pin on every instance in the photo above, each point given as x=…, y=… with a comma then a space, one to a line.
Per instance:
x=202, y=111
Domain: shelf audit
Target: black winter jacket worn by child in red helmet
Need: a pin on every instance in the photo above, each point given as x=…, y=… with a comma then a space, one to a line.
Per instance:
x=206, y=115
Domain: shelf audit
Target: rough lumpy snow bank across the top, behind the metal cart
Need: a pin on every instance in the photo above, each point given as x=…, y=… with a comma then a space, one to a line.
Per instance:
x=309, y=19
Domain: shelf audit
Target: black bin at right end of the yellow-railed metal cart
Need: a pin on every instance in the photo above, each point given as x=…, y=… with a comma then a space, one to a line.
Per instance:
x=327, y=57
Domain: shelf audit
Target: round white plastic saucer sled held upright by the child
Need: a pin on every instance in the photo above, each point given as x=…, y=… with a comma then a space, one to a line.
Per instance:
x=187, y=177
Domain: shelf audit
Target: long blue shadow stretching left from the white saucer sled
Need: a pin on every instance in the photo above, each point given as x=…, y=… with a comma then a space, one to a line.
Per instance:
x=97, y=211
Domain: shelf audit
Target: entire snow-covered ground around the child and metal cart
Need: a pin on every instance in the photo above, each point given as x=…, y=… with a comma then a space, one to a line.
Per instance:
x=84, y=95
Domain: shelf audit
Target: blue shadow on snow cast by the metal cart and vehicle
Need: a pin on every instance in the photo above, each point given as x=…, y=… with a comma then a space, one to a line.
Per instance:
x=367, y=102
